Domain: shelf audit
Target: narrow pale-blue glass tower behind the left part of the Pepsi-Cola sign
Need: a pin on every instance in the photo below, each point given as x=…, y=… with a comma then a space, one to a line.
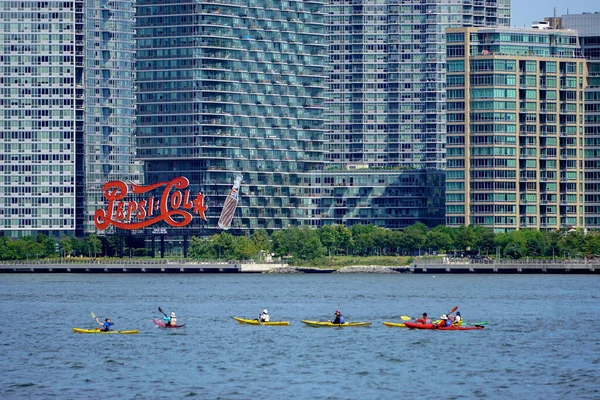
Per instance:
x=109, y=141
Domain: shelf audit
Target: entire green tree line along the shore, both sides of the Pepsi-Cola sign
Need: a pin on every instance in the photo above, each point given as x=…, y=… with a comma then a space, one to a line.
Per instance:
x=306, y=244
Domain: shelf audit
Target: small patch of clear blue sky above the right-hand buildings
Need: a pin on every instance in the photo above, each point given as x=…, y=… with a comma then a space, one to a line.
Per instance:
x=524, y=12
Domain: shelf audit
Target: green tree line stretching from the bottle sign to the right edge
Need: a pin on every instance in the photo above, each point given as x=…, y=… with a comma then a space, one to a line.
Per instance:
x=305, y=244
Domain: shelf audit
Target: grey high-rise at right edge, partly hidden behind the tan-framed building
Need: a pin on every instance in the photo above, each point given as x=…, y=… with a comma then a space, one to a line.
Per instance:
x=587, y=26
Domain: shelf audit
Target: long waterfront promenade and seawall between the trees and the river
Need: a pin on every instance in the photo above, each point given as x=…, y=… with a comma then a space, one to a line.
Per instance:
x=420, y=266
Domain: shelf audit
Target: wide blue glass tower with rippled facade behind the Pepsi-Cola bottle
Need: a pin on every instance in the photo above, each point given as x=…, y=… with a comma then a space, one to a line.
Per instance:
x=236, y=87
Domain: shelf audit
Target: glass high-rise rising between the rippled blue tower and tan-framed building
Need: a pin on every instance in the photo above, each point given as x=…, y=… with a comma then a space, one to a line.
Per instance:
x=387, y=95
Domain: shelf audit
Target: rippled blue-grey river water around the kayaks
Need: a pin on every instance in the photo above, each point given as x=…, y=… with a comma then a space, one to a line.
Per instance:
x=542, y=340
